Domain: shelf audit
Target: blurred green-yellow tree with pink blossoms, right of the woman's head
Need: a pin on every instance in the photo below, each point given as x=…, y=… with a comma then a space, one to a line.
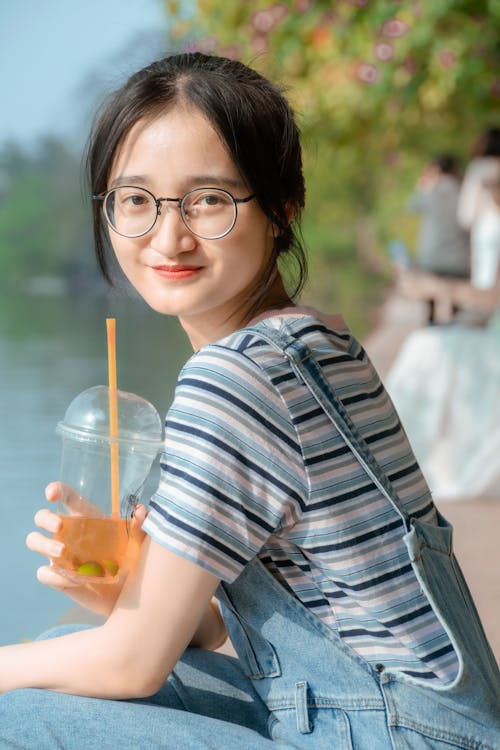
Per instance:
x=379, y=86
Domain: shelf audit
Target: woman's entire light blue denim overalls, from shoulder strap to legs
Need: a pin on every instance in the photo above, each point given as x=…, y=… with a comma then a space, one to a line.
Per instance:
x=295, y=685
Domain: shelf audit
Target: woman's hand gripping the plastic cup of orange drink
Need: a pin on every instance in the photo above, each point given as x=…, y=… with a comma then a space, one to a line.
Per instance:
x=99, y=598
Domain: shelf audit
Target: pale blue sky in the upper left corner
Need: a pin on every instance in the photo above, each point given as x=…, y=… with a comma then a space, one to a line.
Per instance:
x=56, y=56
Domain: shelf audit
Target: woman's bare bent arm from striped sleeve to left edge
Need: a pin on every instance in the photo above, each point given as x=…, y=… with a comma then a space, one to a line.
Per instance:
x=162, y=608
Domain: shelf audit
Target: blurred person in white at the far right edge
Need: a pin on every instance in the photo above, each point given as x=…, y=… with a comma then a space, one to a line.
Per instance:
x=479, y=209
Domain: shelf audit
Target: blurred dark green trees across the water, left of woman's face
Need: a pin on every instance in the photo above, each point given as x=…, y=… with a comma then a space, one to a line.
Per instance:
x=44, y=226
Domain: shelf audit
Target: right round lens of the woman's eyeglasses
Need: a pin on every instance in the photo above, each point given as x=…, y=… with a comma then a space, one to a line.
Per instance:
x=208, y=212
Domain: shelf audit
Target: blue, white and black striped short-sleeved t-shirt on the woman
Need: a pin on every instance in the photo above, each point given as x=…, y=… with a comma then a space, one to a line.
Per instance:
x=252, y=466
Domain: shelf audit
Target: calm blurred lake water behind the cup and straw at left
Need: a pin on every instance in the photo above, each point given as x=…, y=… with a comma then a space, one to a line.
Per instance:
x=51, y=349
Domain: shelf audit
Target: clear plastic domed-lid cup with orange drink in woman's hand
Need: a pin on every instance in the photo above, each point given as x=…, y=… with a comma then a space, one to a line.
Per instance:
x=95, y=526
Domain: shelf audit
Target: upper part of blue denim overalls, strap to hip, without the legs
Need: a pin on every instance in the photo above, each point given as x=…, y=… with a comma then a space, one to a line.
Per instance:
x=320, y=693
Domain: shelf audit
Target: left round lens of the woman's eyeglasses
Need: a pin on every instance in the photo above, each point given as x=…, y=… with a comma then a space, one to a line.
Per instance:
x=131, y=211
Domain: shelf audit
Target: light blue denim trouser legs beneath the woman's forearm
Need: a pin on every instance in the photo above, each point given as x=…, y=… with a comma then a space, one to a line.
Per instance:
x=210, y=687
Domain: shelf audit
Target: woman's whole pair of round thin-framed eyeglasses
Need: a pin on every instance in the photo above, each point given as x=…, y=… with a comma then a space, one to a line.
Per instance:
x=209, y=213
